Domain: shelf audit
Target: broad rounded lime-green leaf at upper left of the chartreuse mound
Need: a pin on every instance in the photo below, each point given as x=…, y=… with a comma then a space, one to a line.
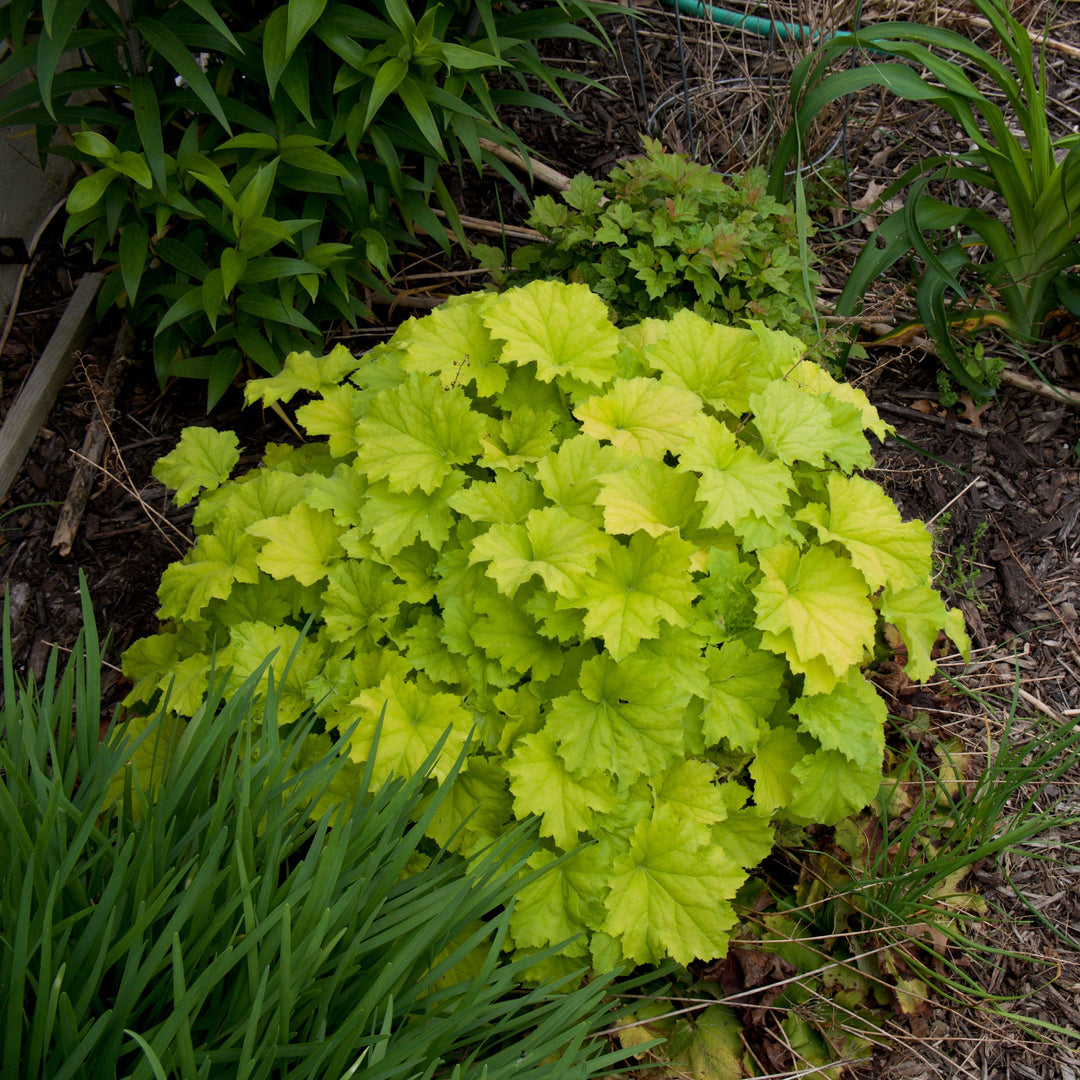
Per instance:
x=415, y=434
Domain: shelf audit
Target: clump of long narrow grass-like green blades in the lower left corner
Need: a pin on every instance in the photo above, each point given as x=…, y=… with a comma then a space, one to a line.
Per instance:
x=217, y=919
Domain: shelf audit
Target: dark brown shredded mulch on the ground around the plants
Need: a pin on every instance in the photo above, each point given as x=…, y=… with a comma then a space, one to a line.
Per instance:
x=1002, y=488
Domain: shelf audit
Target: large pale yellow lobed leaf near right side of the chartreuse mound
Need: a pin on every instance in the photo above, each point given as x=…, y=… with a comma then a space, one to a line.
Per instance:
x=822, y=600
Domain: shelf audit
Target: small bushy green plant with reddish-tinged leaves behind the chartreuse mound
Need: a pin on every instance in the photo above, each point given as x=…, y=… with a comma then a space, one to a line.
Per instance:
x=663, y=234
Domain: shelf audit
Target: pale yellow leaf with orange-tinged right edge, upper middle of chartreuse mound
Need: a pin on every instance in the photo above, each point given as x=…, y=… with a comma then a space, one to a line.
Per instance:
x=641, y=416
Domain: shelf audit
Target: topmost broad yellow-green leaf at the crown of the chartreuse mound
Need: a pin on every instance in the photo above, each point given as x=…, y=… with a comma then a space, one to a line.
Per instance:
x=564, y=330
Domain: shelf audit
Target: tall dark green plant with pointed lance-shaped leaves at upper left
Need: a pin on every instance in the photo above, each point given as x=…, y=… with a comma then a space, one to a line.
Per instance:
x=254, y=166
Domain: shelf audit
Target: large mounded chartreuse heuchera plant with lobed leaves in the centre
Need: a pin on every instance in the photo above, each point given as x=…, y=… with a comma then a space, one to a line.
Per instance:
x=637, y=566
